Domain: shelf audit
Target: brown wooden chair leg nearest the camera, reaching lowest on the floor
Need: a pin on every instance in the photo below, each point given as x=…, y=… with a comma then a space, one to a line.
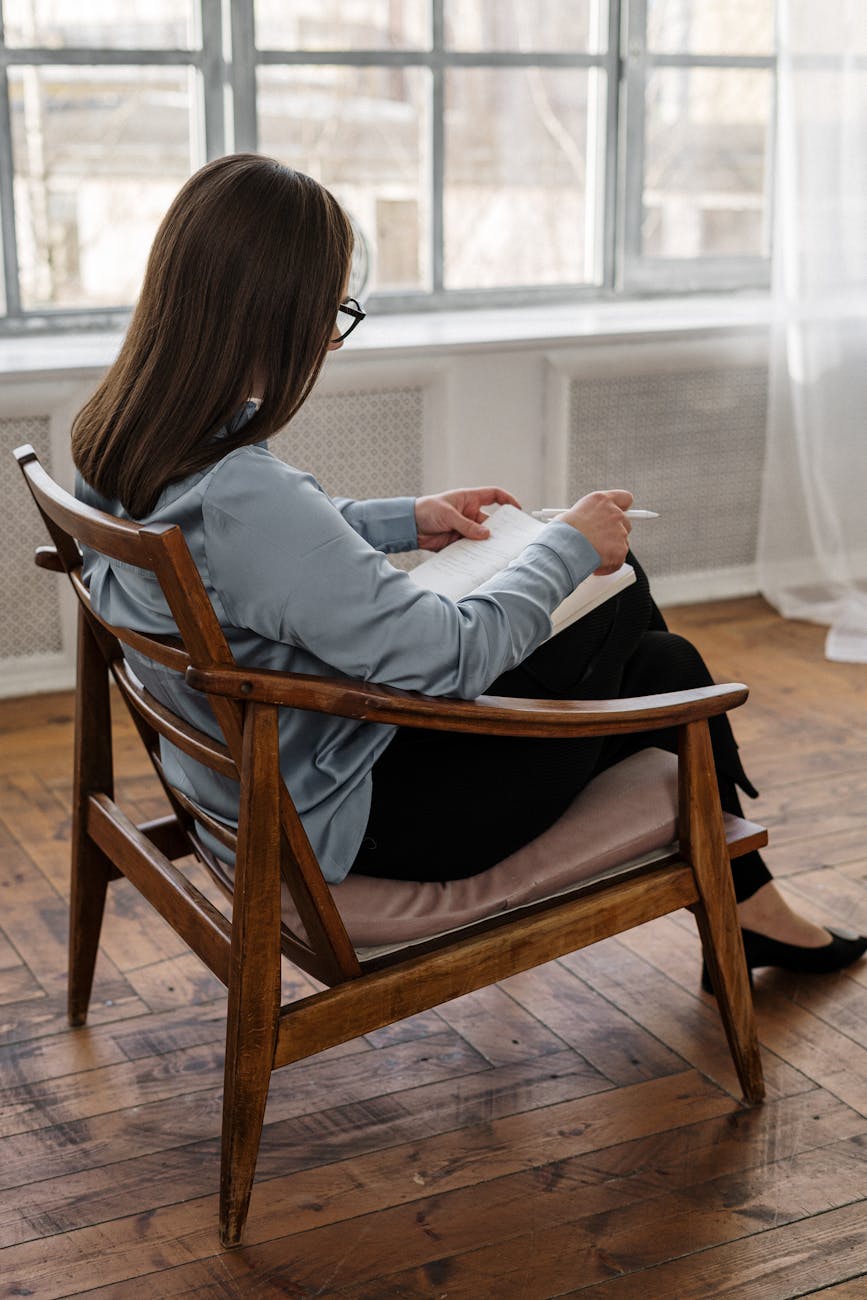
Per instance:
x=254, y=980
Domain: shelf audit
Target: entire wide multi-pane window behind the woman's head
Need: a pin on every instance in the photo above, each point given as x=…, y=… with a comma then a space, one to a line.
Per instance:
x=488, y=150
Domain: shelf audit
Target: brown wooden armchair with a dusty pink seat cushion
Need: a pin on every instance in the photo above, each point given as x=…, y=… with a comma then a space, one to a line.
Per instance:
x=645, y=839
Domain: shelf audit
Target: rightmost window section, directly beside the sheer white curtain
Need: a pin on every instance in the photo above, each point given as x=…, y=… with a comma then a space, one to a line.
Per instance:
x=700, y=86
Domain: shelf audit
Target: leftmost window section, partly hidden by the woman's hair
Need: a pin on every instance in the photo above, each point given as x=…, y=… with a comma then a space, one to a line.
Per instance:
x=102, y=119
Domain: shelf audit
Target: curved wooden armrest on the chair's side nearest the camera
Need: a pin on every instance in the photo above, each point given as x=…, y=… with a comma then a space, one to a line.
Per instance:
x=488, y=714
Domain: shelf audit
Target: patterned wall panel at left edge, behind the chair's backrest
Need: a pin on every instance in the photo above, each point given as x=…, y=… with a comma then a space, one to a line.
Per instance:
x=31, y=623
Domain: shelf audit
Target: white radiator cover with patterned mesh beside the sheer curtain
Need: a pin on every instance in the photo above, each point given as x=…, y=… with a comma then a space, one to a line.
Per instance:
x=682, y=424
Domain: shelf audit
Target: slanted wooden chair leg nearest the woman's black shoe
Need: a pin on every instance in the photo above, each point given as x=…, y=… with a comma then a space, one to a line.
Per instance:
x=704, y=840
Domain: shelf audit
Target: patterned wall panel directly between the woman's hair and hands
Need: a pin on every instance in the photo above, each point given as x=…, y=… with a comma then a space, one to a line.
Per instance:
x=361, y=445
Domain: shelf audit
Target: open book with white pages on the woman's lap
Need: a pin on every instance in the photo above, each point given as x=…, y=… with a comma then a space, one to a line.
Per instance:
x=465, y=566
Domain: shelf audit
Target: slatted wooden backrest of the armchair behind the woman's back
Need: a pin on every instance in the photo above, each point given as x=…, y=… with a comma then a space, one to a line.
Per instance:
x=326, y=951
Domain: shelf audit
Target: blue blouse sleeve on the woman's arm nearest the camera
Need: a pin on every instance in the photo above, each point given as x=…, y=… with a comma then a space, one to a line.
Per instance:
x=289, y=566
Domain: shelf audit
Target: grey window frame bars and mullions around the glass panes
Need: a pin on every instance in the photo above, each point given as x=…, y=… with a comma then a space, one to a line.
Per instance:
x=224, y=114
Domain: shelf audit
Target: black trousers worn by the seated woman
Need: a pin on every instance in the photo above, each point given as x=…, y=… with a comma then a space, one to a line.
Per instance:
x=449, y=805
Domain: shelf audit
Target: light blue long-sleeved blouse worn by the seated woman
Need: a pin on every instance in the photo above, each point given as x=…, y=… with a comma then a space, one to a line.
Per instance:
x=300, y=583
